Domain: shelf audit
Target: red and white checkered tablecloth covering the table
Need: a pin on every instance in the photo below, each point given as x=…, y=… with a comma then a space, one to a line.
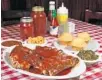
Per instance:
x=93, y=72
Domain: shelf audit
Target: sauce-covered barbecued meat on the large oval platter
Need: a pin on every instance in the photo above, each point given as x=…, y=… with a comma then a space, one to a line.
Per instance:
x=42, y=58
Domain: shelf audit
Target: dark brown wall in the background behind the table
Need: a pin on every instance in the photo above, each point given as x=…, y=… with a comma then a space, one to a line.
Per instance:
x=76, y=7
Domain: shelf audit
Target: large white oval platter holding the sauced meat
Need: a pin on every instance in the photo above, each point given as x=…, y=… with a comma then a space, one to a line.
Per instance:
x=79, y=69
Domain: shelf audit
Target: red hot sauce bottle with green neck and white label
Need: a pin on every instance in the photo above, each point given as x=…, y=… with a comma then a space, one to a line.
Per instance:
x=54, y=24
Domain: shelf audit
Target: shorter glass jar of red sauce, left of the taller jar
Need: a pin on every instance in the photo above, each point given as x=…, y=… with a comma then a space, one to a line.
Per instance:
x=26, y=27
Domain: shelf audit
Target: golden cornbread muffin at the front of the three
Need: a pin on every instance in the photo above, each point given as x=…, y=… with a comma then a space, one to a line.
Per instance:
x=78, y=44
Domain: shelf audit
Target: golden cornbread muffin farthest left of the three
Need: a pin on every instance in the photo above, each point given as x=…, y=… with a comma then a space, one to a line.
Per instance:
x=65, y=39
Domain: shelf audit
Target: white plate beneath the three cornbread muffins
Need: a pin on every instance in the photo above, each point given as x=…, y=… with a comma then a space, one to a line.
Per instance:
x=92, y=45
